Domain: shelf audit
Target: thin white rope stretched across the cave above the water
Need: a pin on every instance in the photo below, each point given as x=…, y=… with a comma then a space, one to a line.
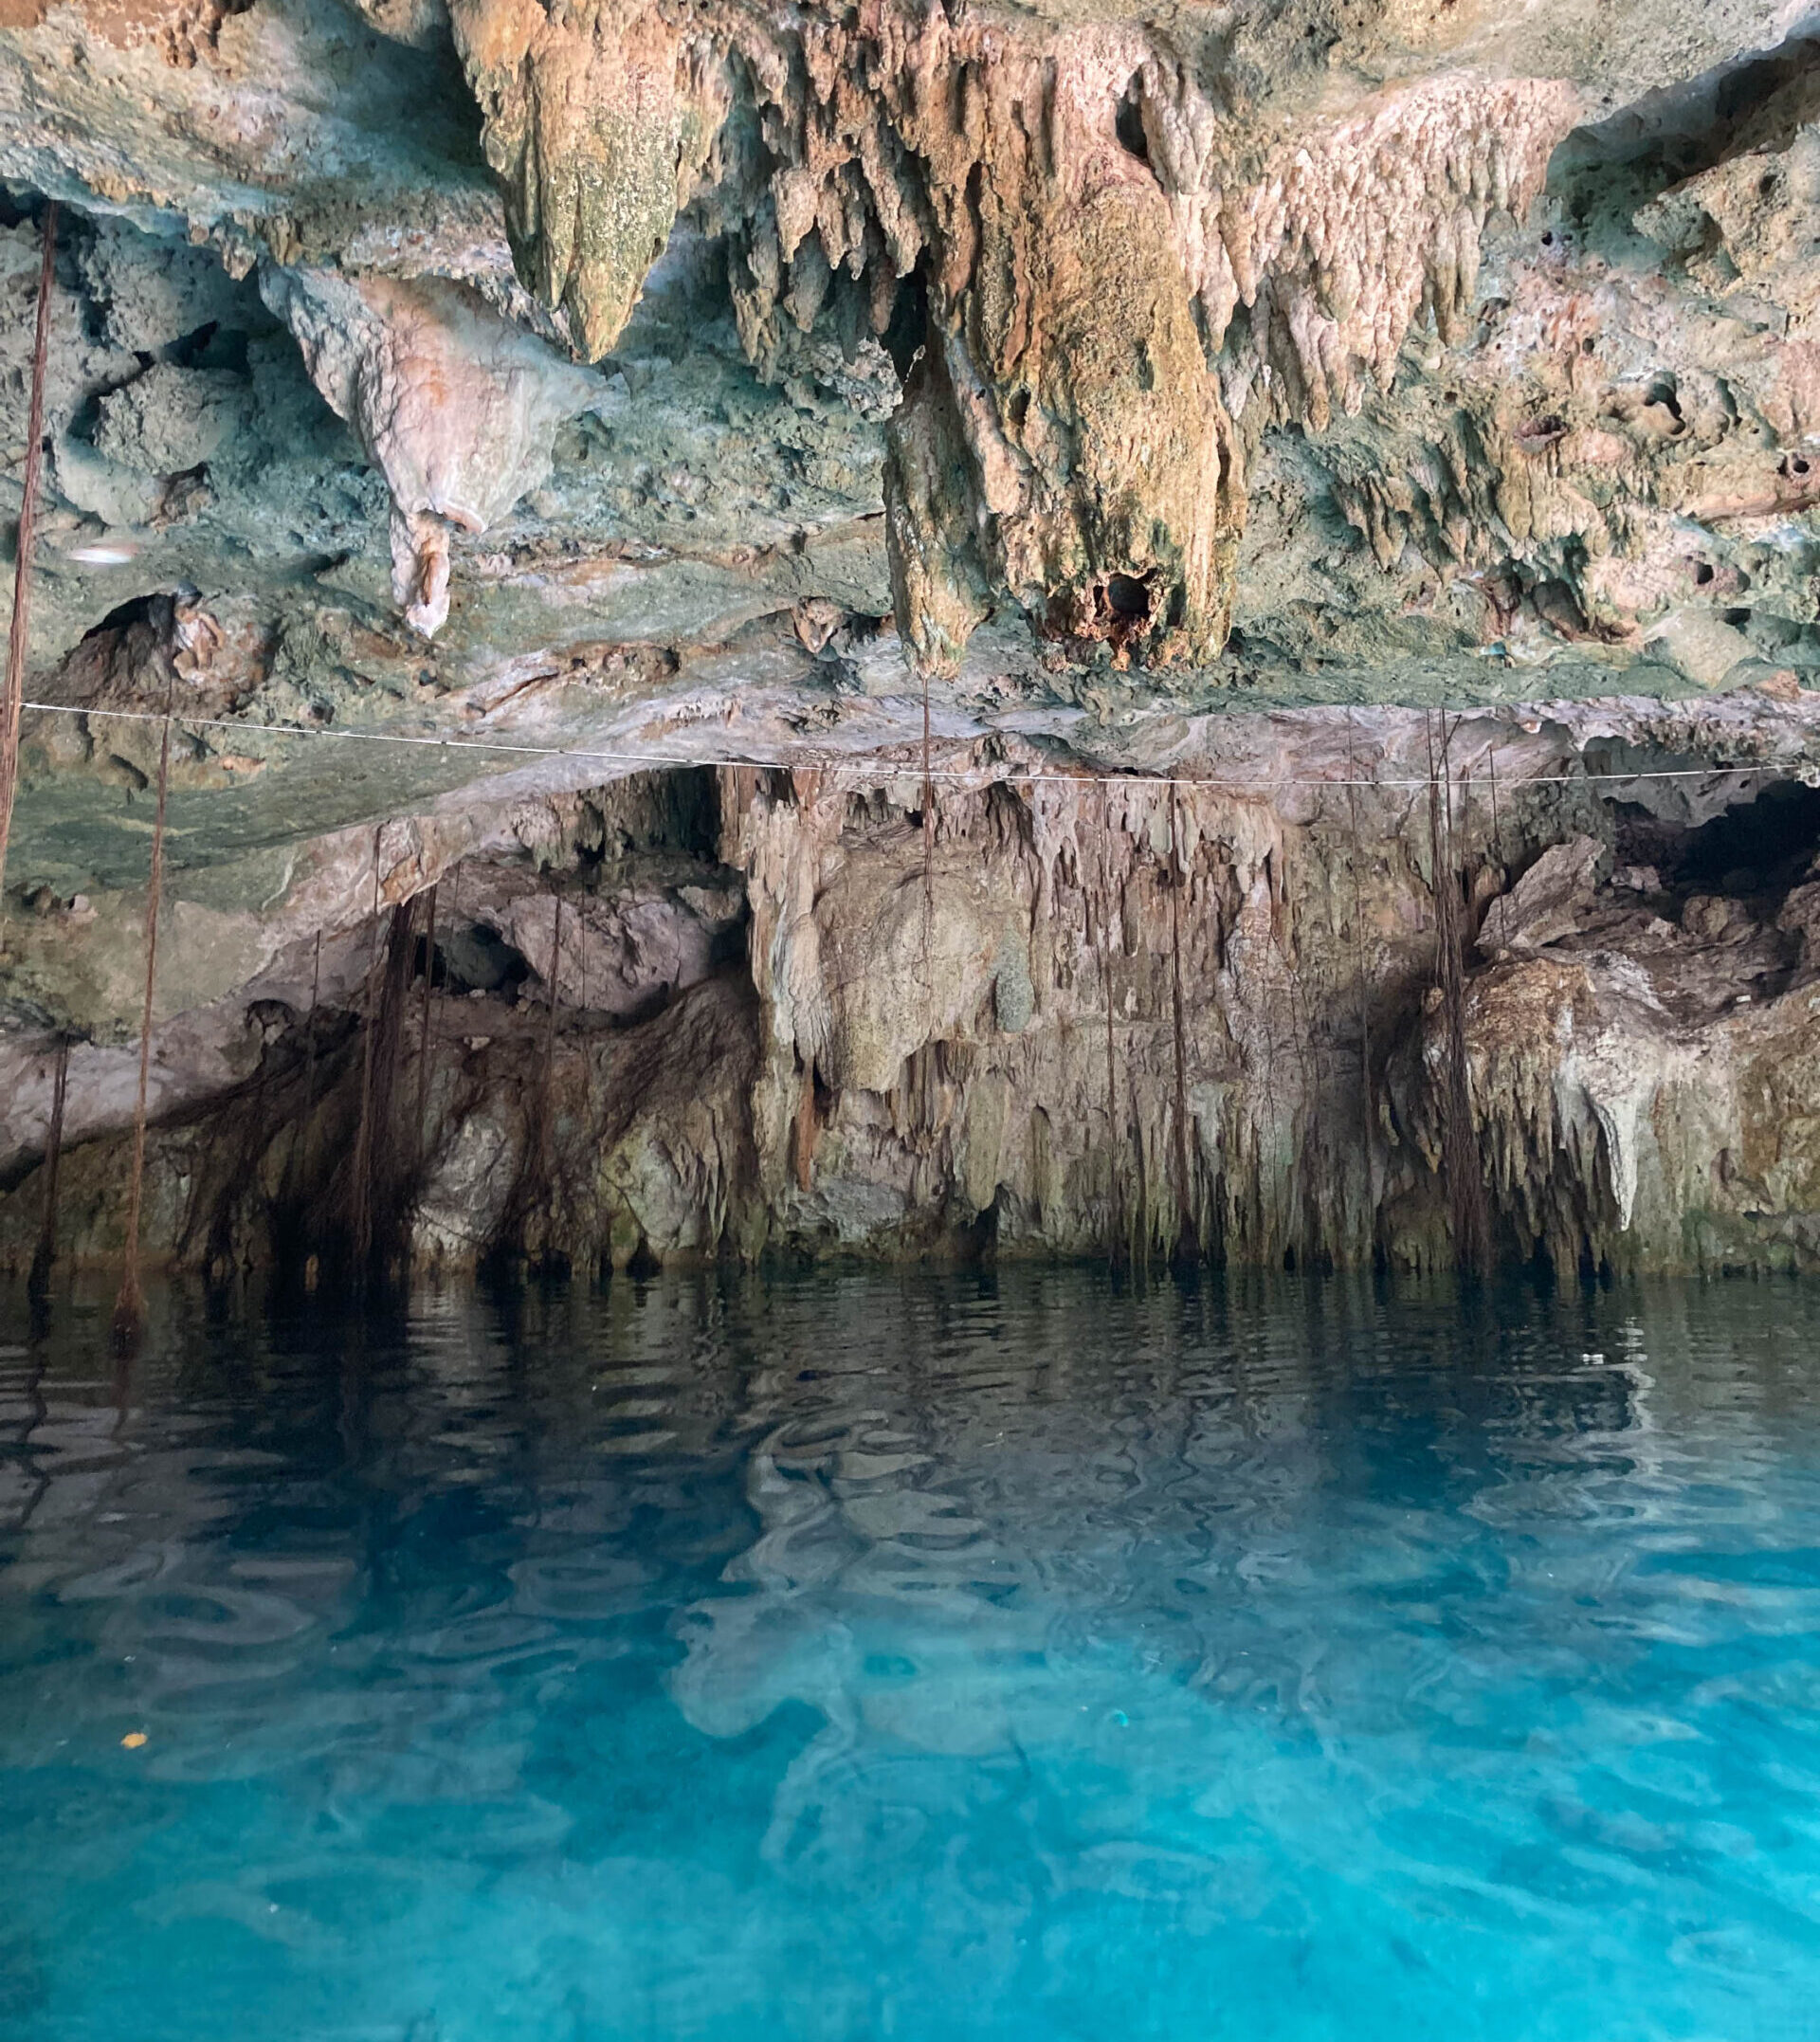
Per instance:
x=871, y=767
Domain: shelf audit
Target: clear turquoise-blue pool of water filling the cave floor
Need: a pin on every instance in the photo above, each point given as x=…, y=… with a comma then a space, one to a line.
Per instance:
x=916, y=1657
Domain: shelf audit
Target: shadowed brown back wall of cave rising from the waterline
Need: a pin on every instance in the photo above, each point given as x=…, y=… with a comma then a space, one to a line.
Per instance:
x=1069, y=1018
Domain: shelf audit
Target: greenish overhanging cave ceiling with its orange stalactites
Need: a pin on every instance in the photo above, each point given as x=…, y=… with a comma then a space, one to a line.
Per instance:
x=659, y=381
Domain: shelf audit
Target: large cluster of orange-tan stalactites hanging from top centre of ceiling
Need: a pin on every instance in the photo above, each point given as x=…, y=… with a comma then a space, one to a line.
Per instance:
x=1057, y=230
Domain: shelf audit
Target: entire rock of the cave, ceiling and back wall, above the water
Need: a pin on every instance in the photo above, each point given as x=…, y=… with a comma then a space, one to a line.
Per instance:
x=918, y=630
